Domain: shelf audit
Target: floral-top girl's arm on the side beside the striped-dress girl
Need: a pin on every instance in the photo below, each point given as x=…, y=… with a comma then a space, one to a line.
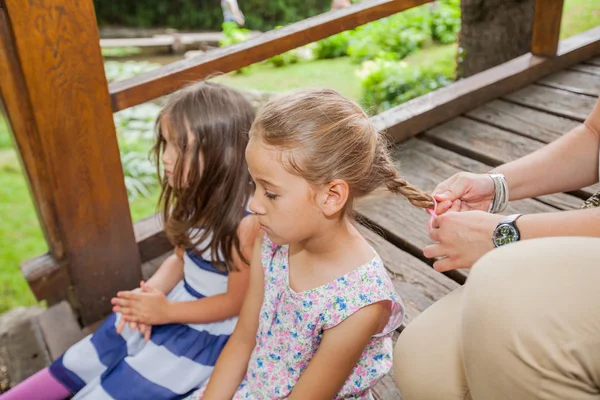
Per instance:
x=233, y=361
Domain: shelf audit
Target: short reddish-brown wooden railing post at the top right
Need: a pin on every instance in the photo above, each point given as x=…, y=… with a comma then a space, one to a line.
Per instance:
x=546, y=27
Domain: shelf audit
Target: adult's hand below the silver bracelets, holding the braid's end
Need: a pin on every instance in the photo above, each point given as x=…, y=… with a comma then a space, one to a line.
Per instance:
x=464, y=191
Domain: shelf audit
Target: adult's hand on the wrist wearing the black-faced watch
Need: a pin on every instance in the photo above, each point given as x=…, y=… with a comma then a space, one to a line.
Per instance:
x=462, y=238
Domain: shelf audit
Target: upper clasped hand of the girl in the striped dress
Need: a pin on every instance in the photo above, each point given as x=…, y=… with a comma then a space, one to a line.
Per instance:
x=150, y=306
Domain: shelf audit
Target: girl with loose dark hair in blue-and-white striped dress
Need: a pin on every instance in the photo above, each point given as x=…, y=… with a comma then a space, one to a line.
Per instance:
x=182, y=317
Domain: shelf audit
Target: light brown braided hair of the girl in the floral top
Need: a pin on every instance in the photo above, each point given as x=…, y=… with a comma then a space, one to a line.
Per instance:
x=325, y=136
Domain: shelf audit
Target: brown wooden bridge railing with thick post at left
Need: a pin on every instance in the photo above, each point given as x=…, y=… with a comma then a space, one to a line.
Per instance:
x=60, y=110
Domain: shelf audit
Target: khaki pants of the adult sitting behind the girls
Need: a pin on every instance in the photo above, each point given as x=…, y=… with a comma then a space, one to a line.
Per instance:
x=526, y=325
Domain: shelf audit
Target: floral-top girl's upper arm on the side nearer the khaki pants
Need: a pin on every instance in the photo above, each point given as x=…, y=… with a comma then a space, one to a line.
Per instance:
x=338, y=353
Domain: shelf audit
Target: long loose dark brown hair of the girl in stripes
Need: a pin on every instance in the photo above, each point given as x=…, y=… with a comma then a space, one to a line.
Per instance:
x=215, y=195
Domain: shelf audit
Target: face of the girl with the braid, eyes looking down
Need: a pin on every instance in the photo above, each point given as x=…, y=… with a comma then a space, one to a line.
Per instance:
x=286, y=204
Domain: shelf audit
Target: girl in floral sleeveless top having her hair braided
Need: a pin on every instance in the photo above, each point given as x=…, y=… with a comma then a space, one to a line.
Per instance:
x=319, y=314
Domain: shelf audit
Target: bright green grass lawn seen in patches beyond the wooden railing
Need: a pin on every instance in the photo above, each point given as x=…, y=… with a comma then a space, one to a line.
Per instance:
x=20, y=234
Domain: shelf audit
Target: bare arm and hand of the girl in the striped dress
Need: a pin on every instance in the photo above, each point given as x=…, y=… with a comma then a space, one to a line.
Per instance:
x=152, y=308
